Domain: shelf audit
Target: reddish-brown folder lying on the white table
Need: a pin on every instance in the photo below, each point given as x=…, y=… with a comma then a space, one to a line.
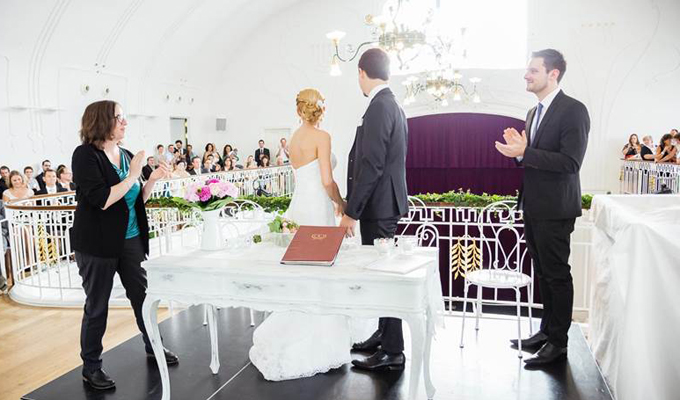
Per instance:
x=314, y=245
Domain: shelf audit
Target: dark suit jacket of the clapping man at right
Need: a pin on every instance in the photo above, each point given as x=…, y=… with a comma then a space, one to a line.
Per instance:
x=552, y=160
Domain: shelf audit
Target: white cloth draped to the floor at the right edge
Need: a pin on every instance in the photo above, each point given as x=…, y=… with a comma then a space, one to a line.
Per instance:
x=635, y=295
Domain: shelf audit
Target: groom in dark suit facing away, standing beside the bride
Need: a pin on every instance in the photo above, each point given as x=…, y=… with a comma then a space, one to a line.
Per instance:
x=376, y=190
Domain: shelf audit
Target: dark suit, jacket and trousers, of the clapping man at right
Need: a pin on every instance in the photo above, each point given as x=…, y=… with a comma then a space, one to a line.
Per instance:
x=551, y=201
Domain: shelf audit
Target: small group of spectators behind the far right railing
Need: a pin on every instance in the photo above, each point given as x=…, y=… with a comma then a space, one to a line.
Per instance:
x=667, y=151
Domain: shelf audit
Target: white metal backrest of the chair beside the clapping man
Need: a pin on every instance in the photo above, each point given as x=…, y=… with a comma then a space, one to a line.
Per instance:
x=500, y=241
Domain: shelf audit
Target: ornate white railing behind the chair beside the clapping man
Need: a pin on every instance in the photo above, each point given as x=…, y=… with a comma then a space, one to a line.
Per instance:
x=468, y=235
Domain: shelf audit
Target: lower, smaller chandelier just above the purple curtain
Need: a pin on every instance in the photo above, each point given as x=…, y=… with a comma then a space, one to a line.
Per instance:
x=441, y=85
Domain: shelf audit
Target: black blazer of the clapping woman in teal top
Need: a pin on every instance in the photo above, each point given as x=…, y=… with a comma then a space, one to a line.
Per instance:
x=95, y=231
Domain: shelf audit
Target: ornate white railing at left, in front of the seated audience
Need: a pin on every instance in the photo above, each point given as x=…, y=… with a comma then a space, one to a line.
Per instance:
x=43, y=263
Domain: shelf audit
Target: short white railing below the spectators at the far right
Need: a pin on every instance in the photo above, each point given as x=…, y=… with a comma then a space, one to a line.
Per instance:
x=643, y=177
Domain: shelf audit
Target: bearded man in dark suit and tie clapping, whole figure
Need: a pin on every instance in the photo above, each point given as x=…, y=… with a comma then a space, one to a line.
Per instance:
x=551, y=150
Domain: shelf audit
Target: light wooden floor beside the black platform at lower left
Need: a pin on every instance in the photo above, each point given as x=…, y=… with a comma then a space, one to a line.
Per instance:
x=40, y=344
